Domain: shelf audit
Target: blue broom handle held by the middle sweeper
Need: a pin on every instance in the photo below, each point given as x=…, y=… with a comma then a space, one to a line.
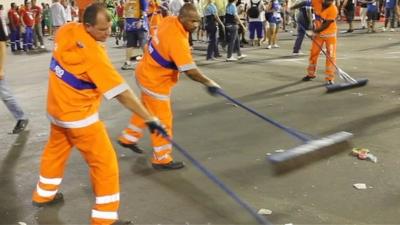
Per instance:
x=289, y=130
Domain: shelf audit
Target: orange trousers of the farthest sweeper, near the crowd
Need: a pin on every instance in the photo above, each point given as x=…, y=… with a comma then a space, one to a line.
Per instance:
x=318, y=43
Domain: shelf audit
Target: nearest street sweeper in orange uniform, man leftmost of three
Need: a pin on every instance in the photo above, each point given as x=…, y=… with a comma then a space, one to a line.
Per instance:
x=80, y=75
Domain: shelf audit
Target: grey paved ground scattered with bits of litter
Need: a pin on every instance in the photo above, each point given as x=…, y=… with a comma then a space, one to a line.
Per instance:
x=232, y=143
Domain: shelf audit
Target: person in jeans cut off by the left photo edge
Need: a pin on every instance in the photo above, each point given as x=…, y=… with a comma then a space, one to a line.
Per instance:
x=5, y=93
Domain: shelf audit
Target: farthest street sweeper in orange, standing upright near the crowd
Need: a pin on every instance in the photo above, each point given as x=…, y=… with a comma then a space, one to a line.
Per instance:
x=324, y=32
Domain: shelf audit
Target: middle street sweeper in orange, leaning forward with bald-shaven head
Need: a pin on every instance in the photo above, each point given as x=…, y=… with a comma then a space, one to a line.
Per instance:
x=166, y=55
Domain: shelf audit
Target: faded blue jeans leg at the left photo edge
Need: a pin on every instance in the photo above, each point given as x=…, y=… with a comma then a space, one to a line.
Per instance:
x=10, y=101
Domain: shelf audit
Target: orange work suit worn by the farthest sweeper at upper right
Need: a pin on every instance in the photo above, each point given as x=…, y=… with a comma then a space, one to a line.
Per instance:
x=327, y=37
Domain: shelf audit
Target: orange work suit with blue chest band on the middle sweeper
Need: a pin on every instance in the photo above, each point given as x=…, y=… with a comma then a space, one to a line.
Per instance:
x=166, y=54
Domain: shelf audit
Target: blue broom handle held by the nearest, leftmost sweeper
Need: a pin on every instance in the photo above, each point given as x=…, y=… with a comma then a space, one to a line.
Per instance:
x=218, y=182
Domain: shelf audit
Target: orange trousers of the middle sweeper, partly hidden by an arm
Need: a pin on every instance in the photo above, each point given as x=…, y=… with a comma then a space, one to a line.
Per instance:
x=162, y=149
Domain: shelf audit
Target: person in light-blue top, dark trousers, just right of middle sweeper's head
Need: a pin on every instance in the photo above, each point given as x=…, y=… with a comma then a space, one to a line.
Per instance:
x=211, y=18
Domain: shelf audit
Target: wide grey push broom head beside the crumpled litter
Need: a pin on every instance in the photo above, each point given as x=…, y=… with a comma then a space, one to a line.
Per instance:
x=310, y=146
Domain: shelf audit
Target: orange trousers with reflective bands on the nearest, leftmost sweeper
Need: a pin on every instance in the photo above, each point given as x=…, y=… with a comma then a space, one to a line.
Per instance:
x=95, y=146
